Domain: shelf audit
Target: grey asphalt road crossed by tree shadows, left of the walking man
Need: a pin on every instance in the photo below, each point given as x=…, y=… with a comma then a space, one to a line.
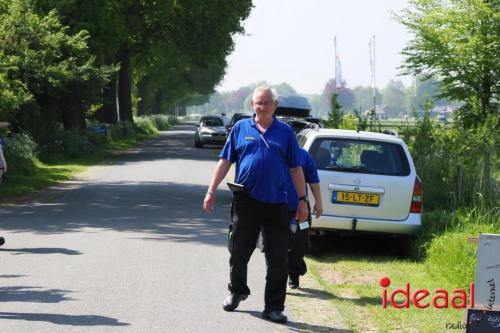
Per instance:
x=126, y=247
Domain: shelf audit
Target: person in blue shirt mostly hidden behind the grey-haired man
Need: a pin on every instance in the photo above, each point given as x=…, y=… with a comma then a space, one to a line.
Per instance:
x=300, y=238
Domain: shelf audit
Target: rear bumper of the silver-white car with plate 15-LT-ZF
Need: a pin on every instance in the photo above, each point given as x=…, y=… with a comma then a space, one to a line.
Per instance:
x=409, y=226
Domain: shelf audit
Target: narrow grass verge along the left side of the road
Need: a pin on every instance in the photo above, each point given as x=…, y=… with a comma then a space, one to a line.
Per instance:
x=56, y=169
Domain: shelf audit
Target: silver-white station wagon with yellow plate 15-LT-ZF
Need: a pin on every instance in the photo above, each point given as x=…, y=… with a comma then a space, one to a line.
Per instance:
x=368, y=181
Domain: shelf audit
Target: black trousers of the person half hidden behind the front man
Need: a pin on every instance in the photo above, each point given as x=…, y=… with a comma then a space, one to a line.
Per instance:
x=299, y=246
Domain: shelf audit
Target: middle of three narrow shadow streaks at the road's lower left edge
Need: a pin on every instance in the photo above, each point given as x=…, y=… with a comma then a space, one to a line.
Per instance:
x=32, y=294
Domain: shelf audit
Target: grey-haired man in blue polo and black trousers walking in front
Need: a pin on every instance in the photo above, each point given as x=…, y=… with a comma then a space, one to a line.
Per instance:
x=261, y=147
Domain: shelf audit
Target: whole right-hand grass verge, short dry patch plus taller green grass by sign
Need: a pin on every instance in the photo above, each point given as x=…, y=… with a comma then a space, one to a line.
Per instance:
x=448, y=262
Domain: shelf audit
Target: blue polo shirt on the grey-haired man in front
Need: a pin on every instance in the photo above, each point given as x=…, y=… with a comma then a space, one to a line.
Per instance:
x=263, y=159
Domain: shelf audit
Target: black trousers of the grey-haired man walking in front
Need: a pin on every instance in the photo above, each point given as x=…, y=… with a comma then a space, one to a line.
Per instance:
x=249, y=216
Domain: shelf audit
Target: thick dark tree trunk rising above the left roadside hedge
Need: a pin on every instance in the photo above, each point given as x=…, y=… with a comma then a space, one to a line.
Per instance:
x=125, y=85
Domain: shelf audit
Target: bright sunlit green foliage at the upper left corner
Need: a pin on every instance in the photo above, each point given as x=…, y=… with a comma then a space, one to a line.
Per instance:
x=52, y=75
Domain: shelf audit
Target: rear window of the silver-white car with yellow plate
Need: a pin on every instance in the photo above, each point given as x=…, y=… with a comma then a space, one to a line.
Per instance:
x=360, y=156
